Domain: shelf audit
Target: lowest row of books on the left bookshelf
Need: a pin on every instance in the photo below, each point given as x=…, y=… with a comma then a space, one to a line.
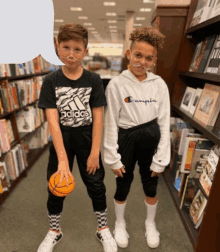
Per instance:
x=15, y=161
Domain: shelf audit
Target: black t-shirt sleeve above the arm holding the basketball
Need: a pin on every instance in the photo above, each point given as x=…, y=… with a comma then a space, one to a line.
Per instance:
x=47, y=97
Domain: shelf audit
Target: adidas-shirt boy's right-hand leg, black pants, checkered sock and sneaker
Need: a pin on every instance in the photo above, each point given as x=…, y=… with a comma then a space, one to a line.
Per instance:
x=96, y=190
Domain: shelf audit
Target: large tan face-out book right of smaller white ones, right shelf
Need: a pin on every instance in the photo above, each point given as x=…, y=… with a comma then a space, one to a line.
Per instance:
x=209, y=98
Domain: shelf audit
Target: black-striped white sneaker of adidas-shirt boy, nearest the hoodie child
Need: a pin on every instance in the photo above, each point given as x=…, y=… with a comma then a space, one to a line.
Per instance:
x=108, y=242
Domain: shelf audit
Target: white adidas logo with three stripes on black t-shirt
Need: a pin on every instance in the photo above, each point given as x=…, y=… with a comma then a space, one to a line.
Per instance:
x=75, y=109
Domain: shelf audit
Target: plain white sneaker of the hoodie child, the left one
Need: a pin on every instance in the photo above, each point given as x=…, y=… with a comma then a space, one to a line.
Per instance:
x=121, y=235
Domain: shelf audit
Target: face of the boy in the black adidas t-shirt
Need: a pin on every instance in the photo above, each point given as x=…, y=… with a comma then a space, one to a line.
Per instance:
x=71, y=53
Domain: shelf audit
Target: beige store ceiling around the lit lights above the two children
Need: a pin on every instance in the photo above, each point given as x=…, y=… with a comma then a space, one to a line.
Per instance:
x=96, y=11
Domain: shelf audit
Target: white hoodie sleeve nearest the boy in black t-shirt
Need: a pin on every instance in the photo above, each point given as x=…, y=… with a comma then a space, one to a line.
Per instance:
x=110, y=130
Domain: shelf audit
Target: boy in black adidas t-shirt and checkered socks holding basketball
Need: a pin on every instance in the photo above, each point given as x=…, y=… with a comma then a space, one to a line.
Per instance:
x=74, y=98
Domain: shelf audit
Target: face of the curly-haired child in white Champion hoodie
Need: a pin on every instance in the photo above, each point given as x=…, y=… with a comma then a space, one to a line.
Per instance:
x=142, y=57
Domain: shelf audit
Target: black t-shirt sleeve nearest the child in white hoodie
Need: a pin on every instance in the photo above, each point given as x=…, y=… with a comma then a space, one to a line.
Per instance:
x=98, y=98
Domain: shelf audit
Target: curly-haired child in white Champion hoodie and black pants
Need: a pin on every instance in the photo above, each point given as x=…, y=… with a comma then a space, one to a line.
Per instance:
x=138, y=105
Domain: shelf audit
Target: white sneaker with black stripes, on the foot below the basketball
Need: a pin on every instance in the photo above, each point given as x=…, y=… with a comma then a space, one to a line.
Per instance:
x=51, y=239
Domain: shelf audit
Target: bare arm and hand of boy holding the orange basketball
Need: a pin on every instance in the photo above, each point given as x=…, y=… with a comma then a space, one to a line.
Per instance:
x=57, y=138
